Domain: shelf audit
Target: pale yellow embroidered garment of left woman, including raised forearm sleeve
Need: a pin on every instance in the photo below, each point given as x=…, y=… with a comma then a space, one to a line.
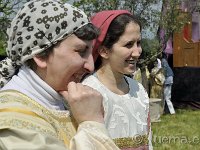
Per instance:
x=32, y=126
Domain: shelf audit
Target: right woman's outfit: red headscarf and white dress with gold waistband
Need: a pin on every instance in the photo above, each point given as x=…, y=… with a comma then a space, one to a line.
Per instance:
x=126, y=116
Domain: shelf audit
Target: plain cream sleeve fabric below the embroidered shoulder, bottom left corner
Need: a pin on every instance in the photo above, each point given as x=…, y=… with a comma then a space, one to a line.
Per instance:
x=25, y=139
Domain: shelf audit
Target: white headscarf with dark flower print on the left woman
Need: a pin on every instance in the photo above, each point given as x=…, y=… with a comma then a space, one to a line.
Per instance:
x=38, y=25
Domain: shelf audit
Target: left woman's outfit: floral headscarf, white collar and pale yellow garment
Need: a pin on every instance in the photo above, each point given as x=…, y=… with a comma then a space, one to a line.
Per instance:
x=32, y=114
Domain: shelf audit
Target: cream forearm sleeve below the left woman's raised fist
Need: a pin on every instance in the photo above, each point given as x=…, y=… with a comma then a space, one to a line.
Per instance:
x=90, y=136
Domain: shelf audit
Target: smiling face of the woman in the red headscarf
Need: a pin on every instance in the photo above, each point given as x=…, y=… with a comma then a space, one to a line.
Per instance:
x=125, y=52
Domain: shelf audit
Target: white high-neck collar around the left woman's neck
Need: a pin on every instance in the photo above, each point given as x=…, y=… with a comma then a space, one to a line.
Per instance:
x=29, y=83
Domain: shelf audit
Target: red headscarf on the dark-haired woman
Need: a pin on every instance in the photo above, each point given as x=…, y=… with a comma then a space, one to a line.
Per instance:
x=102, y=20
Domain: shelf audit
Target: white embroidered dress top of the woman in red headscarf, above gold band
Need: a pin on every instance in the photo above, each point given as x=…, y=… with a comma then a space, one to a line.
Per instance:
x=125, y=115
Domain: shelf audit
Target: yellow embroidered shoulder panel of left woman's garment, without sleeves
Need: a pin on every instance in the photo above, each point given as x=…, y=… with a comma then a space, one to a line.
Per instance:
x=18, y=105
